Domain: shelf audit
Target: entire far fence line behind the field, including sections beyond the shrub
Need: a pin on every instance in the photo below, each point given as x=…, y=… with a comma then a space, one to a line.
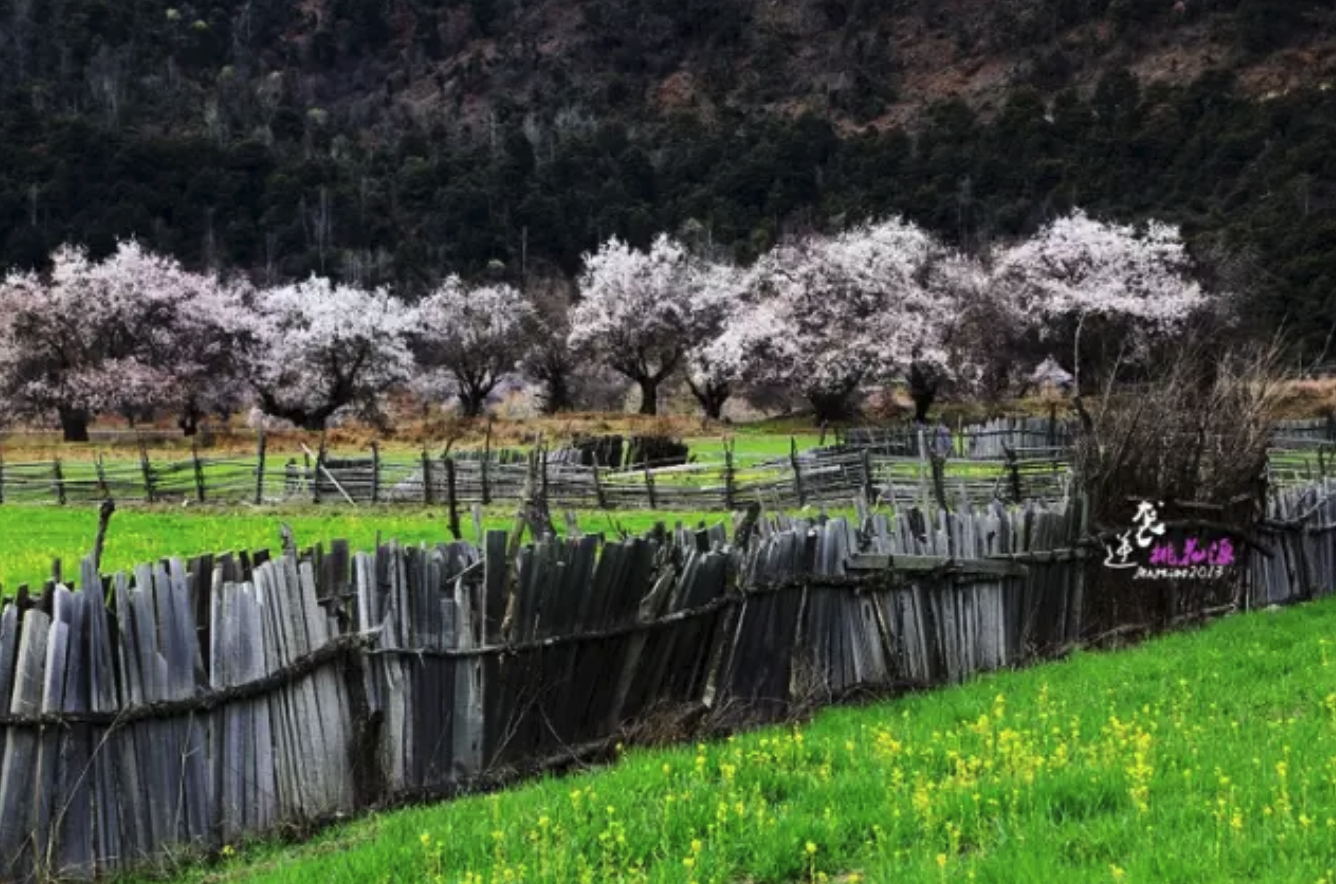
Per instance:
x=1007, y=459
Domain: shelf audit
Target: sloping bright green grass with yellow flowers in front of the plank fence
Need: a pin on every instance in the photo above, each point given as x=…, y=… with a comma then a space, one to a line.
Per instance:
x=1202, y=756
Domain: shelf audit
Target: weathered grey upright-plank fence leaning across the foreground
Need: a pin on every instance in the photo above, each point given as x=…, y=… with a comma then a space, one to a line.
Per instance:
x=189, y=704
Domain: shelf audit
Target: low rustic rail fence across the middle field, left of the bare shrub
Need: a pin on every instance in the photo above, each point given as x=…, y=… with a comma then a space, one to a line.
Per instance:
x=466, y=479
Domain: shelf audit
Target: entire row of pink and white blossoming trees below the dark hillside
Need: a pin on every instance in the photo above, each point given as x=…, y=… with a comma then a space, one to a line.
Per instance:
x=137, y=335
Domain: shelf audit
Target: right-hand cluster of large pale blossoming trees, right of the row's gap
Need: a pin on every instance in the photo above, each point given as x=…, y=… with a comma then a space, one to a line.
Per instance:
x=825, y=316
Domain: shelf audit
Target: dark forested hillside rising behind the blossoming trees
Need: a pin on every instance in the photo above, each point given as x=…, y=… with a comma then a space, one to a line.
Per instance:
x=395, y=141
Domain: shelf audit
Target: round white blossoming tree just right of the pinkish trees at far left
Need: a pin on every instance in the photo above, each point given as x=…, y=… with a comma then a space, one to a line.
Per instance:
x=320, y=348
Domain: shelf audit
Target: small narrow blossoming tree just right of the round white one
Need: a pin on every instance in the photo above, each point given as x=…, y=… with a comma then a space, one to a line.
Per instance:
x=479, y=336
